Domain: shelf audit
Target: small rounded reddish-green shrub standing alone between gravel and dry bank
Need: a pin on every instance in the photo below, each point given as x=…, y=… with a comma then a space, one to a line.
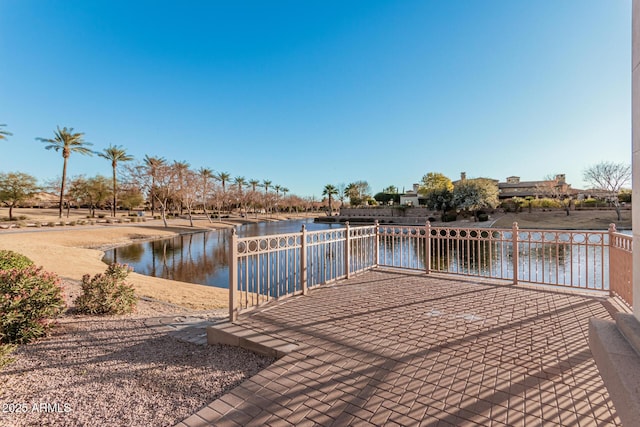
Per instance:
x=107, y=293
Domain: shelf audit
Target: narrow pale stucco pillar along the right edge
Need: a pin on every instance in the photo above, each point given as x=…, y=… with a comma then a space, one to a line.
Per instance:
x=635, y=159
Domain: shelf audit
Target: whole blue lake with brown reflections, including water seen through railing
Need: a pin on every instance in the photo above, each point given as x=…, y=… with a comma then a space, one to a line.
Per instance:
x=573, y=258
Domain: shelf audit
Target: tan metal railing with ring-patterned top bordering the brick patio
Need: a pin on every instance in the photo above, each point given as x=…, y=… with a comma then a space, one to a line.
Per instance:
x=271, y=267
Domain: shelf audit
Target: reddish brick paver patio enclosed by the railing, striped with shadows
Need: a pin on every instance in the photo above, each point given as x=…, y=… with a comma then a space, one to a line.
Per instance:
x=390, y=349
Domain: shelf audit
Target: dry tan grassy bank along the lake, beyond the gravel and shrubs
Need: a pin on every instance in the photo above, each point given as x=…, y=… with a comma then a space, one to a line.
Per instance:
x=73, y=251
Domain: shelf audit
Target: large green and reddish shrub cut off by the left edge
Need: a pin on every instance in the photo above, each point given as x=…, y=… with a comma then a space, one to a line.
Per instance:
x=29, y=298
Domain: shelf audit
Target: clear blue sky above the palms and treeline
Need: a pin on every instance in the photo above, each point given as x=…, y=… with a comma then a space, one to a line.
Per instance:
x=307, y=93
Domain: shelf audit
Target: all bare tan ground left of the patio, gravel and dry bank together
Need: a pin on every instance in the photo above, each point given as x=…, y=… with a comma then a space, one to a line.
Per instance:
x=116, y=370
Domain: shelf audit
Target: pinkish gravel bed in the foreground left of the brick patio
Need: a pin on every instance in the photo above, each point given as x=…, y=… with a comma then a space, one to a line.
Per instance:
x=115, y=371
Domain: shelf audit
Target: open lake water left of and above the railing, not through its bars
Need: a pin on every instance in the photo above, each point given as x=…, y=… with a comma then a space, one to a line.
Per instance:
x=200, y=257
